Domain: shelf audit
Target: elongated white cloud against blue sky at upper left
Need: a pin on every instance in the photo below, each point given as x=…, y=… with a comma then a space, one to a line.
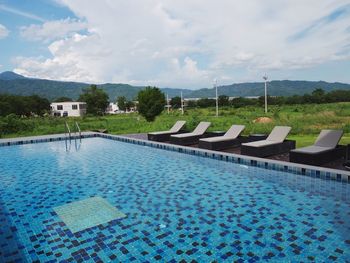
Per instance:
x=52, y=30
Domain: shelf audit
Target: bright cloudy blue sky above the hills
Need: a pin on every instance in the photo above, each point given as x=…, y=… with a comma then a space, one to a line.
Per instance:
x=178, y=44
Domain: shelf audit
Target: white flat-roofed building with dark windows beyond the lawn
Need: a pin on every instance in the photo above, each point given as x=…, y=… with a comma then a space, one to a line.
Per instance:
x=68, y=108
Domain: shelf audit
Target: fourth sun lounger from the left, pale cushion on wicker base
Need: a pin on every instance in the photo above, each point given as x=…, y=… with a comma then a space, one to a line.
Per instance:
x=275, y=143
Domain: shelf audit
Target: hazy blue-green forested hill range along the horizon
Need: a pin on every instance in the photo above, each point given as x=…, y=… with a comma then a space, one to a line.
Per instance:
x=12, y=83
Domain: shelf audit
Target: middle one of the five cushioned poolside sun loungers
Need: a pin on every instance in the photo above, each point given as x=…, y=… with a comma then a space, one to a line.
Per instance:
x=229, y=139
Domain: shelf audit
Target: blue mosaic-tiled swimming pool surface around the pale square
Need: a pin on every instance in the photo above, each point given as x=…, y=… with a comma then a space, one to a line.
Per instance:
x=178, y=208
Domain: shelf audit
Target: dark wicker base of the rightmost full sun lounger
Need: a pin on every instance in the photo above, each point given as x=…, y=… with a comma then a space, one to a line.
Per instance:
x=318, y=158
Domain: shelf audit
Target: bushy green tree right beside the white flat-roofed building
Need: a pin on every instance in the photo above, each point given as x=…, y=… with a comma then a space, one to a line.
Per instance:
x=96, y=100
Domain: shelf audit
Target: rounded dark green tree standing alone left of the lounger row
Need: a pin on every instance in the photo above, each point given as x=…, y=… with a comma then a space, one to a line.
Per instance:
x=151, y=102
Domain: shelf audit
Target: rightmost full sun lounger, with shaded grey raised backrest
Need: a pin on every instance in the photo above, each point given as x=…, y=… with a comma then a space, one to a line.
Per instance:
x=324, y=150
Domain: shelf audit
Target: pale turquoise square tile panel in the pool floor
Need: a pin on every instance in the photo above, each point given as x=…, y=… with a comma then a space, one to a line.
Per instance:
x=87, y=213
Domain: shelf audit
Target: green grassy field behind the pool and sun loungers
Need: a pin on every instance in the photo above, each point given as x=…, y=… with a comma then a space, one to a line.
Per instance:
x=306, y=121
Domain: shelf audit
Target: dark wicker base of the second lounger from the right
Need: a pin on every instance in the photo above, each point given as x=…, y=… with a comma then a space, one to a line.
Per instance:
x=268, y=150
